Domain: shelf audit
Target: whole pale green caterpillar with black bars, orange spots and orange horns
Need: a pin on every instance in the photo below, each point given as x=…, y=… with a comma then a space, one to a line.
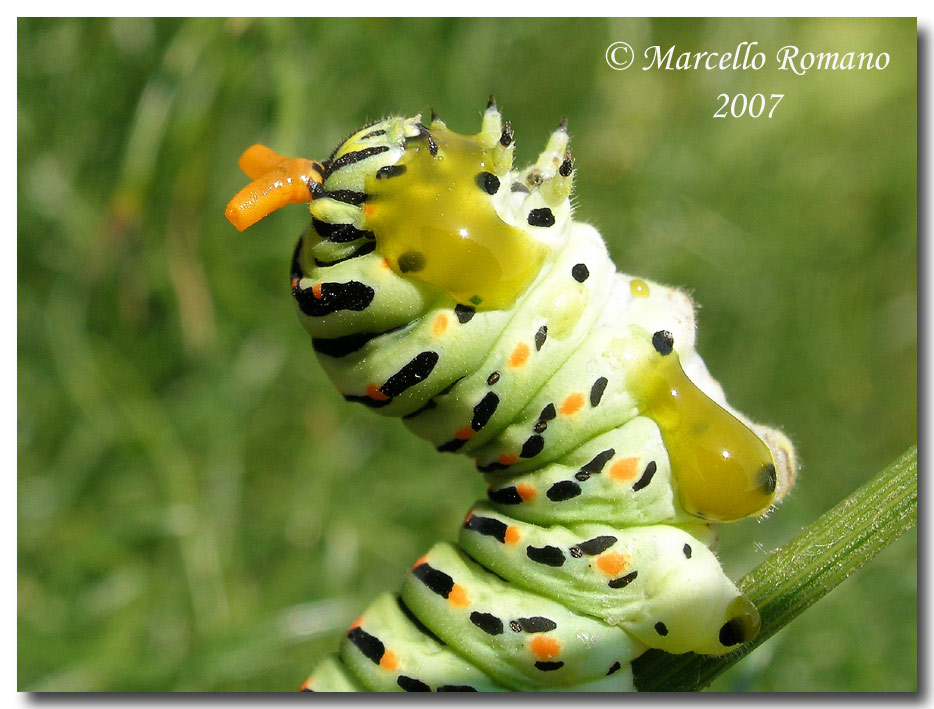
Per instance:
x=443, y=287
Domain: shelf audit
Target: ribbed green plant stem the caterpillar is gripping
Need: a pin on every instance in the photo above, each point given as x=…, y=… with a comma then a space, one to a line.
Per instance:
x=803, y=571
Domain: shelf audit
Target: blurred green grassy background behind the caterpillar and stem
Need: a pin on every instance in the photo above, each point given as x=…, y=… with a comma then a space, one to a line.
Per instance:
x=198, y=510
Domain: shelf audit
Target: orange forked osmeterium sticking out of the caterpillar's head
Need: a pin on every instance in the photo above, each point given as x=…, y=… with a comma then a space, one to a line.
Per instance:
x=277, y=181
